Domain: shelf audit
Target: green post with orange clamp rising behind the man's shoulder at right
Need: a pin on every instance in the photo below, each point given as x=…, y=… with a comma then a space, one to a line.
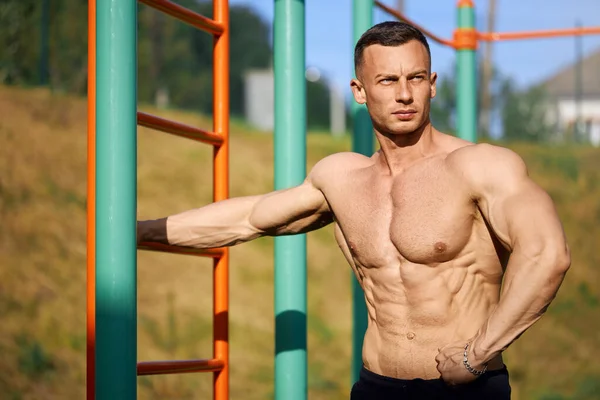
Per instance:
x=466, y=92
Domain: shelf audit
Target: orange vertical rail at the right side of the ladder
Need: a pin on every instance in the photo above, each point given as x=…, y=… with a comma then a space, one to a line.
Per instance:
x=221, y=192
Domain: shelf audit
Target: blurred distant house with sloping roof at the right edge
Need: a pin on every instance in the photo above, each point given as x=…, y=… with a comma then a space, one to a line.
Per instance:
x=564, y=108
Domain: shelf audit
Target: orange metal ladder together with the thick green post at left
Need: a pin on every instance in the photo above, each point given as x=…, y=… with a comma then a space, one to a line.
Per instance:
x=112, y=366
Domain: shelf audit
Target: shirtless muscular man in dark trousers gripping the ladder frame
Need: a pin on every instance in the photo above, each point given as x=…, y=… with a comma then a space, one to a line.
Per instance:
x=457, y=250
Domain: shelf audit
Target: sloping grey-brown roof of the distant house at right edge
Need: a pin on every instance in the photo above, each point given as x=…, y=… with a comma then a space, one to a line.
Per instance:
x=563, y=82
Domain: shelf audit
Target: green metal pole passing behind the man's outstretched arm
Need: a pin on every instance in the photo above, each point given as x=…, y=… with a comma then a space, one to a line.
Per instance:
x=290, y=170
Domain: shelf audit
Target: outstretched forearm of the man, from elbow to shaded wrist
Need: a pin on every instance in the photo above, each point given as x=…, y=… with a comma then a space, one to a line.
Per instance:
x=224, y=223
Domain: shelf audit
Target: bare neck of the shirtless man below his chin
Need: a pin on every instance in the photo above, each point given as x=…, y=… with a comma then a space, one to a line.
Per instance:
x=401, y=151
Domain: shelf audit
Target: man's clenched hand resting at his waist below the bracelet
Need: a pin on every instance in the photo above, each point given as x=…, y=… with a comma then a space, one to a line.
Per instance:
x=450, y=364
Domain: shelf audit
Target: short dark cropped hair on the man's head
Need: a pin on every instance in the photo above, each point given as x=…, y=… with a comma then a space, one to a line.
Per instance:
x=389, y=33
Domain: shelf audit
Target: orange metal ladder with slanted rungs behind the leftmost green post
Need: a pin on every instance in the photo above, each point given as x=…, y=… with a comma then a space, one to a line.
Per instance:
x=219, y=139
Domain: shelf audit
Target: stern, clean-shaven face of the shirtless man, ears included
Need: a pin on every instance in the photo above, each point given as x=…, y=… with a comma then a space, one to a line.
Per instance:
x=396, y=86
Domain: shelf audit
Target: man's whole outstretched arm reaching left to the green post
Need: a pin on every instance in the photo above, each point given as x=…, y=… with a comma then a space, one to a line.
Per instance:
x=229, y=222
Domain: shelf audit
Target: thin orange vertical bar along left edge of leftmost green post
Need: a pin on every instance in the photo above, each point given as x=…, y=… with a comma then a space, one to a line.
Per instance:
x=91, y=208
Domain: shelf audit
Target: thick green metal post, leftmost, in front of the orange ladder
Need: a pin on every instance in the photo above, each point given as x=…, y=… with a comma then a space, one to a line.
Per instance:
x=116, y=353
